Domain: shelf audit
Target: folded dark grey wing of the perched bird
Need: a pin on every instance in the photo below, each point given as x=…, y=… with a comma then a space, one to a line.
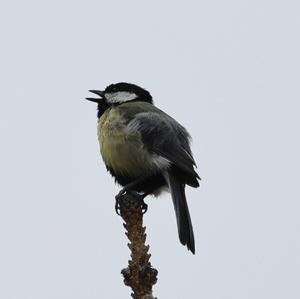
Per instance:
x=165, y=137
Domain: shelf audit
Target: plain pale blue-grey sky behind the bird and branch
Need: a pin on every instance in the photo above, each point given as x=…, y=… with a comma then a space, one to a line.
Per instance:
x=227, y=70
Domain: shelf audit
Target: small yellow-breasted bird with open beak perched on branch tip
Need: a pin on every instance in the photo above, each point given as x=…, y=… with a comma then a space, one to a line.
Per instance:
x=146, y=150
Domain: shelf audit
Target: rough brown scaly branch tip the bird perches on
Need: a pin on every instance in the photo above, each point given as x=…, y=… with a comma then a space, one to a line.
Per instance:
x=139, y=274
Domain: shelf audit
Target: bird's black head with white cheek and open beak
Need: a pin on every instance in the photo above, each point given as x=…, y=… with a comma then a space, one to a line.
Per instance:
x=116, y=94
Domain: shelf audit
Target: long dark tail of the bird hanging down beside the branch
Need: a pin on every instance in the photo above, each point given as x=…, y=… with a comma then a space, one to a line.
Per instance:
x=184, y=224
